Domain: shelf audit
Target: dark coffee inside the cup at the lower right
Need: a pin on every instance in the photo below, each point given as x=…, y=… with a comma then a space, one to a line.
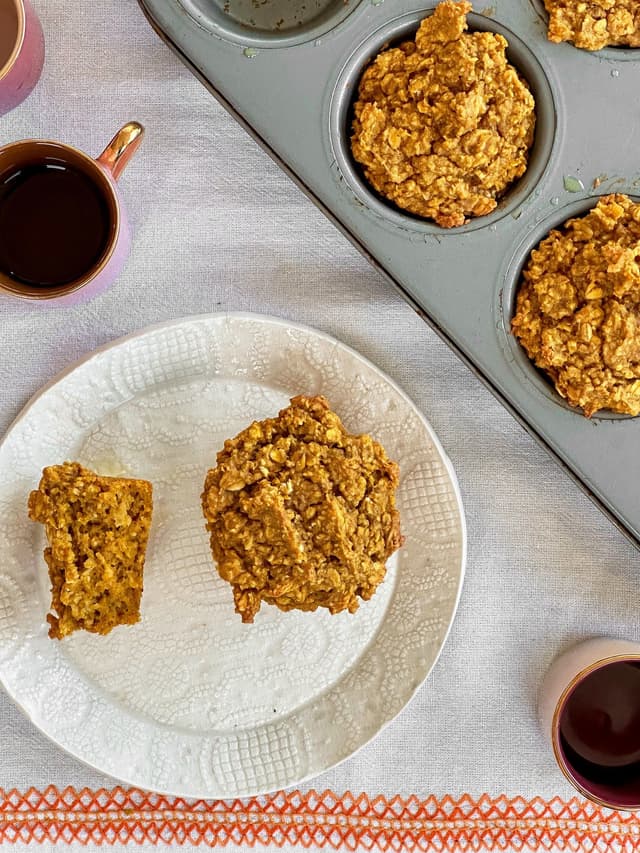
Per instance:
x=600, y=727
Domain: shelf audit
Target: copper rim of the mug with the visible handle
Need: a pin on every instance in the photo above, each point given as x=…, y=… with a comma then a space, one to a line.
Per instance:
x=50, y=293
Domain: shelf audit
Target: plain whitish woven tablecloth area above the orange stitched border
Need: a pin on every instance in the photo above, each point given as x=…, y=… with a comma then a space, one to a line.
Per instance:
x=219, y=227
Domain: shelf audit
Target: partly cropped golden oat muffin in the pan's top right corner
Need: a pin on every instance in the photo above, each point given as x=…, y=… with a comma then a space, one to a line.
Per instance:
x=594, y=24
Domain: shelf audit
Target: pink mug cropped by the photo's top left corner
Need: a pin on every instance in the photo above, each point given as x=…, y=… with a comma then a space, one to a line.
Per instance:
x=21, y=52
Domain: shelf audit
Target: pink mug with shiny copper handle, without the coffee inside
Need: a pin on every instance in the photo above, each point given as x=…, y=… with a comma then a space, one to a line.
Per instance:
x=103, y=172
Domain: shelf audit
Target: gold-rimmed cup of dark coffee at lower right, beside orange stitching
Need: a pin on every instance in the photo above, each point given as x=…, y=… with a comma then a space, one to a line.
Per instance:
x=590, y=711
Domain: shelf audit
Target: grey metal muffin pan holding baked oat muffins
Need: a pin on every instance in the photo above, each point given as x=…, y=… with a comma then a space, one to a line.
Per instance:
x=288, y=73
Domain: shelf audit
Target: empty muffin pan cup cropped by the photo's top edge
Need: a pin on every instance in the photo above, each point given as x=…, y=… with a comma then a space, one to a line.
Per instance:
x=269, y=23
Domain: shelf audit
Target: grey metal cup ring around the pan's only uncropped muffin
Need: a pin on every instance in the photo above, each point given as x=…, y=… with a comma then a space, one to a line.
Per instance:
x=341, y=115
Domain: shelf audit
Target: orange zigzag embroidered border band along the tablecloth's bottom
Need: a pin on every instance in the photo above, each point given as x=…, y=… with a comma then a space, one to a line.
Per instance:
x=313, y=821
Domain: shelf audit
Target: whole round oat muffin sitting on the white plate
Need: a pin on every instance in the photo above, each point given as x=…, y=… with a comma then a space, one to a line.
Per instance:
x=301, y=514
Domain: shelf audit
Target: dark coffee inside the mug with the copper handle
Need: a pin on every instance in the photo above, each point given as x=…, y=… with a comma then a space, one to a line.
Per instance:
x=54, y=224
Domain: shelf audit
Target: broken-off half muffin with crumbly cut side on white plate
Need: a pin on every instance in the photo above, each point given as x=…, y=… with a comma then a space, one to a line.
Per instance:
x=97, y=529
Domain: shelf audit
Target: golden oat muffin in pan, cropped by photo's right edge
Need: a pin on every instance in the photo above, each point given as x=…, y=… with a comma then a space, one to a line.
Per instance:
x=578, y=307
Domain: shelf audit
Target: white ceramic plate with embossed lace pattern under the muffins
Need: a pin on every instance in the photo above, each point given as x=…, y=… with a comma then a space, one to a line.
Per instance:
x=190, y=701
